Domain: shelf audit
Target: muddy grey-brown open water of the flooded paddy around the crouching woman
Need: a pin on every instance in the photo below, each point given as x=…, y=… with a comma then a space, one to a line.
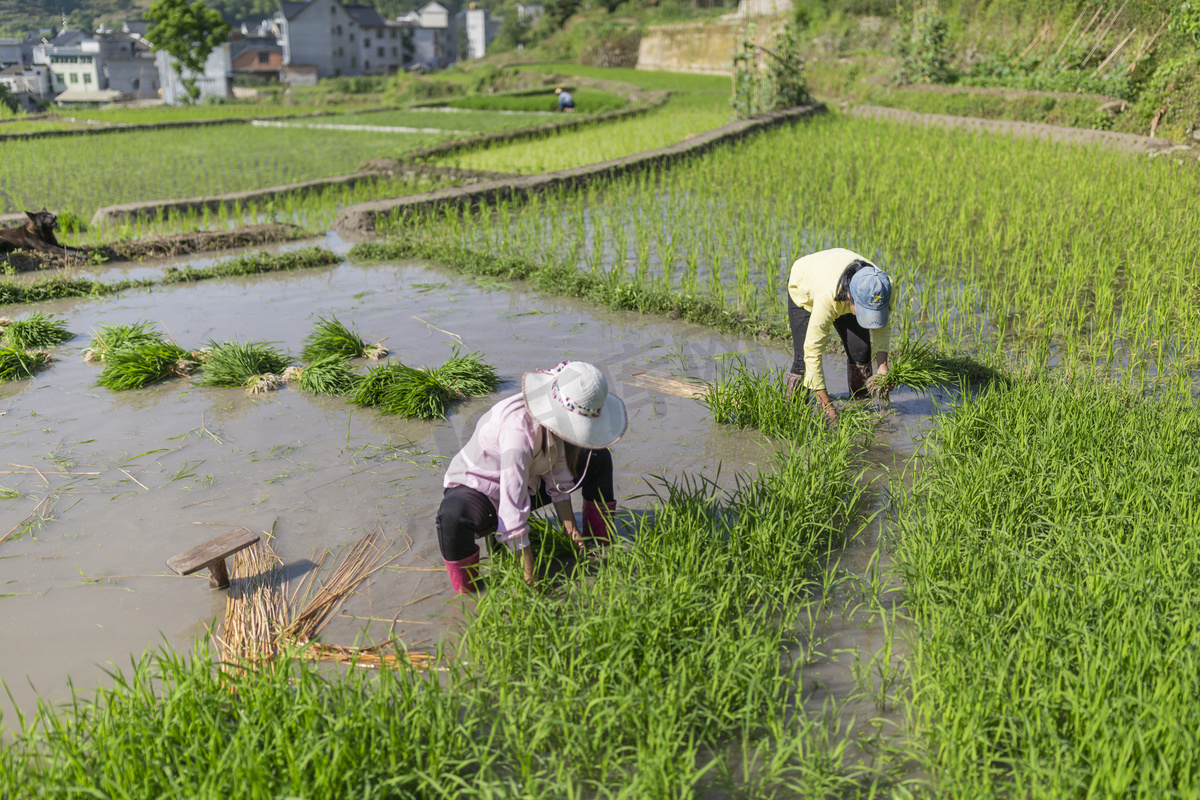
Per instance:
x=111, y=485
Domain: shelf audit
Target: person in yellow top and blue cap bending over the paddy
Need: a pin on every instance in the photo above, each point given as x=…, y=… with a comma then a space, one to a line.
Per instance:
x=838, y=291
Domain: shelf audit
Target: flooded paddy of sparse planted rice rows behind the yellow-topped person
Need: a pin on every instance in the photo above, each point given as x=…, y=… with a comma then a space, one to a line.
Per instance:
x=988, y=252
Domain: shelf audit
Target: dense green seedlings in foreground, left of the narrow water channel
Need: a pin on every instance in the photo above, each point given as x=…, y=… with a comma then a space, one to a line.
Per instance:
x=658, y=672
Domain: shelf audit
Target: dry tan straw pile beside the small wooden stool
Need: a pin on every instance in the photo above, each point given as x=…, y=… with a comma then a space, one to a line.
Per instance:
x=262, y=622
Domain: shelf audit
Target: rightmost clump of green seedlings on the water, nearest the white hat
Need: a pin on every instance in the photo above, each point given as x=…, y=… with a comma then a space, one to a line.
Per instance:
x=425, y=393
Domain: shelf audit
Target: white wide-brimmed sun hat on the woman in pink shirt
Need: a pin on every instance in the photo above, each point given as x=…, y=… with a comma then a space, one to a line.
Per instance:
x=574, y=404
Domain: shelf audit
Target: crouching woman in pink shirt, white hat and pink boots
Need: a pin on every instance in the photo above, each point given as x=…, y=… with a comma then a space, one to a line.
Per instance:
x=529, y=450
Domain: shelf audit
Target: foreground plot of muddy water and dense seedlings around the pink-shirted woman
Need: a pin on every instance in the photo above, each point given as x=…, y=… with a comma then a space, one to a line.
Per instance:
x=723, y=586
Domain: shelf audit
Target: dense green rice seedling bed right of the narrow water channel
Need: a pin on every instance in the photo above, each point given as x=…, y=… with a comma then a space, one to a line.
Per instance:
x=1049, y=549
